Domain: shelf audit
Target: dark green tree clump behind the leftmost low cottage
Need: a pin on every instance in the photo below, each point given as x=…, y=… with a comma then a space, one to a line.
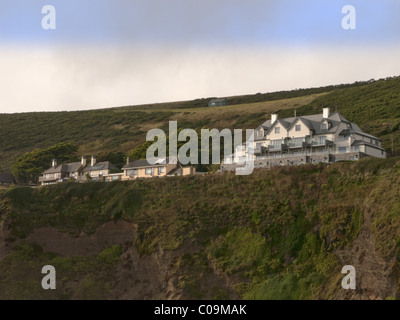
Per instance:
x=28, y=167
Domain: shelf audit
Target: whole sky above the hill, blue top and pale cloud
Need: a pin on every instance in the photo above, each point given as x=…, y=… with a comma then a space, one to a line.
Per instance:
x=107, y=53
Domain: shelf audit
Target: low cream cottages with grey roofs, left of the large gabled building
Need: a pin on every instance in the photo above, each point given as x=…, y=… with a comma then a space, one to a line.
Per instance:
x=106, y=171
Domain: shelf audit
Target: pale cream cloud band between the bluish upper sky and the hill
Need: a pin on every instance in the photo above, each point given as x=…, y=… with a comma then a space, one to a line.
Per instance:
x=82, y=78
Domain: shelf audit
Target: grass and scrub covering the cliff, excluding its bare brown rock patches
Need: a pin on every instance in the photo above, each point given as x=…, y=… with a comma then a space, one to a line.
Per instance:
x=280, y=242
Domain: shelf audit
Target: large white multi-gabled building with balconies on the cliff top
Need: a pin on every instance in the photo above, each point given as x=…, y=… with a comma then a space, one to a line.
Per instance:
x=325, y=137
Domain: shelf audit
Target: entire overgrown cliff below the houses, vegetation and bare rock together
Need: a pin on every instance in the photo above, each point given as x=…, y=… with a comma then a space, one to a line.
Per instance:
x=216, y=236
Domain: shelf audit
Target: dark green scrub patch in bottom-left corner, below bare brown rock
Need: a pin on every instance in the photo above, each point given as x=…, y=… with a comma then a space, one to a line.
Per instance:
x=78, y=277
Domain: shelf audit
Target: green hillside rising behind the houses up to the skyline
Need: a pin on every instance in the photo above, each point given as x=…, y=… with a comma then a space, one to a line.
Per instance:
x=373, y=105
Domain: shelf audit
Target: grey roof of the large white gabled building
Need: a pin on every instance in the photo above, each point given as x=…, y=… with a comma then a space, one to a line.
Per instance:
x=313, y=122
